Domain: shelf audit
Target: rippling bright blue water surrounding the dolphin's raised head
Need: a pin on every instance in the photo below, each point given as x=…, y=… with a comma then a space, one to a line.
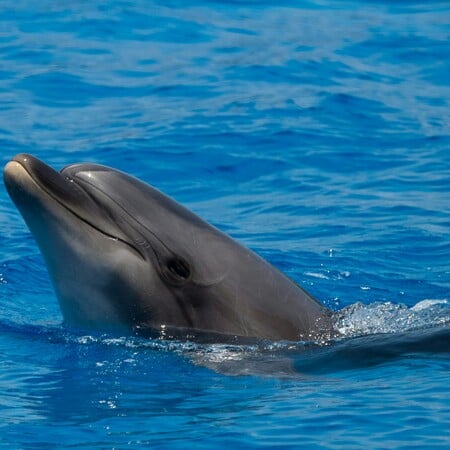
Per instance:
x=318, y=134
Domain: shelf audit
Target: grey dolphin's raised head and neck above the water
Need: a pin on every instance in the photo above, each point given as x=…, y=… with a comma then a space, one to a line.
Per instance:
x=123, y=255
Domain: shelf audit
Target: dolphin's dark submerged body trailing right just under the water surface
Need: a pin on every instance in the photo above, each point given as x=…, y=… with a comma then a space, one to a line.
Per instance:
x=311, y=358
